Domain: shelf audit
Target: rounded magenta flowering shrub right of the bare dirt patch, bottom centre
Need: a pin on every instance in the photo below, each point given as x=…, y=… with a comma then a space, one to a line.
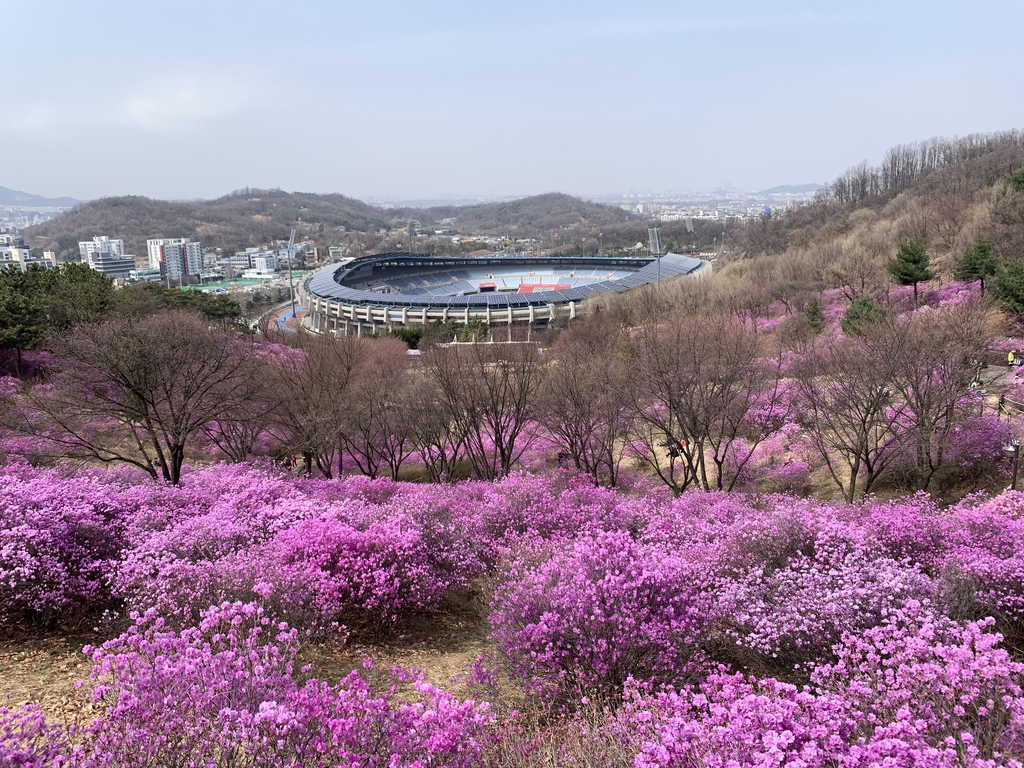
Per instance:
x=591, y=614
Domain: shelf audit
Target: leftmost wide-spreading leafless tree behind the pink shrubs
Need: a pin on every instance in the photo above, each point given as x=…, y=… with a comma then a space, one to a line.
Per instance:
x=138, y=393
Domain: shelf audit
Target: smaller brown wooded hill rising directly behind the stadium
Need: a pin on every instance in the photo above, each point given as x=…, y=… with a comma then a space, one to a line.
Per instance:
x=525, y=218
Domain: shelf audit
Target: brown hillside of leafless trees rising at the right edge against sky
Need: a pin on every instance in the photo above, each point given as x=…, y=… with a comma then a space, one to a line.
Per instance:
x=946, y=193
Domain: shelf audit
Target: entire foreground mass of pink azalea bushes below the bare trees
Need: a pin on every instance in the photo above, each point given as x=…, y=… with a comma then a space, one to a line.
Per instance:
x=718, y=629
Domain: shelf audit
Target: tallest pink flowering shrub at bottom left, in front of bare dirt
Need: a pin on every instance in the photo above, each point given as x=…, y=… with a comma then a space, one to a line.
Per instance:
x=217, y=676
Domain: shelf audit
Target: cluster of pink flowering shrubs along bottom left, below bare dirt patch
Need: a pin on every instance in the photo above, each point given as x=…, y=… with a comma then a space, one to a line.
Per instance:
x=223, y=694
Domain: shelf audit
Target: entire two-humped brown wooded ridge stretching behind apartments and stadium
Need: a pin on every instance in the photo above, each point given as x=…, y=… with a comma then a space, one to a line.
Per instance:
x=252, y=218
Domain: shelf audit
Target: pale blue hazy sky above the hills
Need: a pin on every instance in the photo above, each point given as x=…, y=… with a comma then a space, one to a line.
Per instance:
x=411, y=100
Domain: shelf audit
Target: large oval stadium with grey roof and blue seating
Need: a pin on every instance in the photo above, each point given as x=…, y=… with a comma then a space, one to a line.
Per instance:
x=388, y=291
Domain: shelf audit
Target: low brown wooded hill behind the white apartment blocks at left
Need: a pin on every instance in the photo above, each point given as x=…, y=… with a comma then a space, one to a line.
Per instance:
x=244, y=219
